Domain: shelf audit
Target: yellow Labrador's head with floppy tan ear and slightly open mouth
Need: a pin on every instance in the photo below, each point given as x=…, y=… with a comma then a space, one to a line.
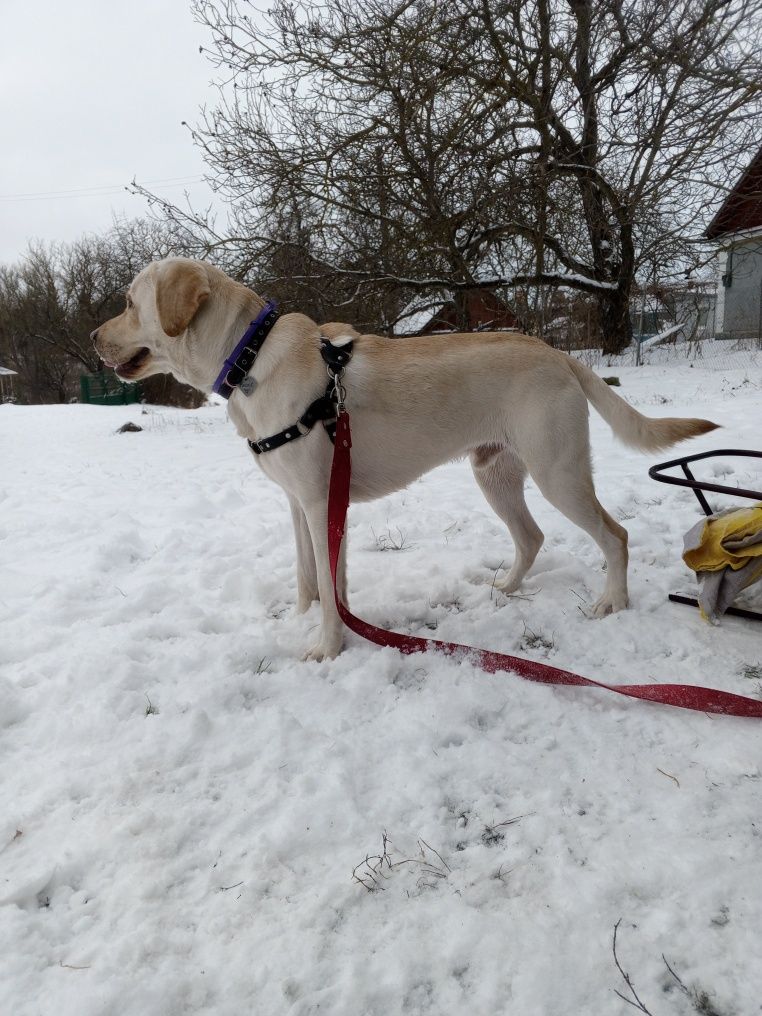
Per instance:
x=162, y=303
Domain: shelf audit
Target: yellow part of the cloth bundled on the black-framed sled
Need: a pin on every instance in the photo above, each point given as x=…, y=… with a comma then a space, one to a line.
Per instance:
x=719, y=545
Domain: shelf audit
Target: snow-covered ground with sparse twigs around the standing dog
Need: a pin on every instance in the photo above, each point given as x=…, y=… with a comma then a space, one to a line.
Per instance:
x=183, y=803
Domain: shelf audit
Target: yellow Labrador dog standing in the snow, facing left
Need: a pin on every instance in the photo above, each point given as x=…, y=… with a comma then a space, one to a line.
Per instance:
x=512, y=404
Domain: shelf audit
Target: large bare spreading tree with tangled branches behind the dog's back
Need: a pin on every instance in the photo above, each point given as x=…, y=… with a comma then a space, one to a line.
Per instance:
x=464, y=144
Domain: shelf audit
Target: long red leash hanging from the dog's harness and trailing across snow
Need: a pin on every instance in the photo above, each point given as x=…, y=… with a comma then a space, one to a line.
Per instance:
x=685, y=696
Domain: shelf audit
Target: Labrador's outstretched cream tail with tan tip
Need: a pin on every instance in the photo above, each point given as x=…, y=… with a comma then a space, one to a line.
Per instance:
x=630, y=426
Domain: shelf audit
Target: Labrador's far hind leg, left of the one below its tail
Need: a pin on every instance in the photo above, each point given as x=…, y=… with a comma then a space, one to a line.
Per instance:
x=501, y=476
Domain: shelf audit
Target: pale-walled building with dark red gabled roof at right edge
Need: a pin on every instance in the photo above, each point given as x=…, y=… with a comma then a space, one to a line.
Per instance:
x=738, y=230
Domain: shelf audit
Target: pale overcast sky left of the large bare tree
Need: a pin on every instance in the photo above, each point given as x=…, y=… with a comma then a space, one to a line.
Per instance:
x=93, y=94
